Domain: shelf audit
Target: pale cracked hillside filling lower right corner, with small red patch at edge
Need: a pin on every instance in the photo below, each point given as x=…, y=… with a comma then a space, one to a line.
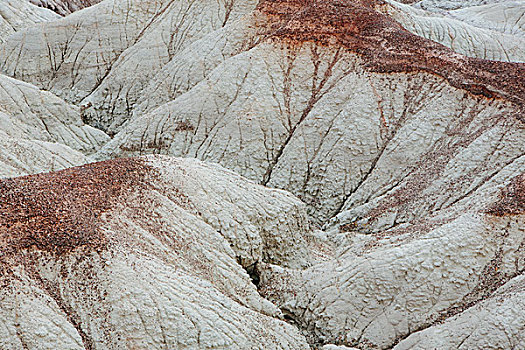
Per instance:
x=381, y=288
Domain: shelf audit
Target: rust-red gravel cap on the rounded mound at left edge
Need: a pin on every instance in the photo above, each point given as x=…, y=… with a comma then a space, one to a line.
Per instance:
x=59, y=211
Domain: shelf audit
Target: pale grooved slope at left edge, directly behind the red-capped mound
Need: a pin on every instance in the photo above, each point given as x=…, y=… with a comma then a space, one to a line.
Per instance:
x=40, y=132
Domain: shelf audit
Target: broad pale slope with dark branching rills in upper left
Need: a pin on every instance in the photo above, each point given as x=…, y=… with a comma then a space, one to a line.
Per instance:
x=68, y=56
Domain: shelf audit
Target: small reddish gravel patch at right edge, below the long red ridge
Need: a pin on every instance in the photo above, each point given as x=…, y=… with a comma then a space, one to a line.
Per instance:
x=512, y=199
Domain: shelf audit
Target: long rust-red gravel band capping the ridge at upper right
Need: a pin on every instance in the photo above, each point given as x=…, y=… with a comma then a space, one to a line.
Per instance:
x=359, y=26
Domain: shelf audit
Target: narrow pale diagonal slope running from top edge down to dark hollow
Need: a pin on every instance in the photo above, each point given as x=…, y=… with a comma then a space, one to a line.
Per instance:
x=181, y=24
